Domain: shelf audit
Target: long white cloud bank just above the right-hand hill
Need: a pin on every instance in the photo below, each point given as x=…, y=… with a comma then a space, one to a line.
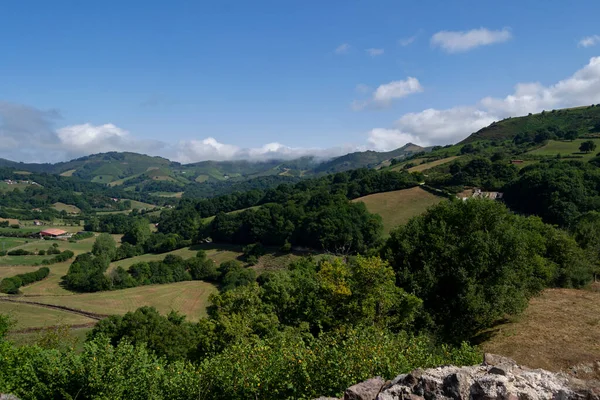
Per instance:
x=451, y=125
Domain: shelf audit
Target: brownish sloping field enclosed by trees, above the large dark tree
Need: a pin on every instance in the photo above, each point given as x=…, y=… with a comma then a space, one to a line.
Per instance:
x=397, y=207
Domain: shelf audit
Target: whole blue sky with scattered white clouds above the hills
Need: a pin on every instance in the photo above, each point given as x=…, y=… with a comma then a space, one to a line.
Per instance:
x=202, y=80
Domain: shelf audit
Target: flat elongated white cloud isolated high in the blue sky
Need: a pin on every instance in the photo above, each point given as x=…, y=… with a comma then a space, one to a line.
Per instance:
x=461, y=41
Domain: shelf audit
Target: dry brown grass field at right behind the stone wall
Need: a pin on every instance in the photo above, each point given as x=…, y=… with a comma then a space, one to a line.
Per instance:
x=559, y=329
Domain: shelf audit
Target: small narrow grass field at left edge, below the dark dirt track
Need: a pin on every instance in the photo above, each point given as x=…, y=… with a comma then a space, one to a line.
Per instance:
x=29, y=316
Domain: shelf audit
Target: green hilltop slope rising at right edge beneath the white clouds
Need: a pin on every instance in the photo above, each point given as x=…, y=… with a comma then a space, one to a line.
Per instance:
x=582, y=120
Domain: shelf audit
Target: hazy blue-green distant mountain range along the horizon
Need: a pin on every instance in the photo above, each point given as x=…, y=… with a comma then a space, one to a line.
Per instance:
x=133, y=169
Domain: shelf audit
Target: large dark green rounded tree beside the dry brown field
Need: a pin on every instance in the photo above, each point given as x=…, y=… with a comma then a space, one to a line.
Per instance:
x=474, y=262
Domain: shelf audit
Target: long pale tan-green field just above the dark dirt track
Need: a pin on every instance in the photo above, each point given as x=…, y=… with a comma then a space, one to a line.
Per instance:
x=190, y=298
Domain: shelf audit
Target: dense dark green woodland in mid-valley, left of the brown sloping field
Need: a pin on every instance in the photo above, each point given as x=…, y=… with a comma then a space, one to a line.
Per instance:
x=313, y=213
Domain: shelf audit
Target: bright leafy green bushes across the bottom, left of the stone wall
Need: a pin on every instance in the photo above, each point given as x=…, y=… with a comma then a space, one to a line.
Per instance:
x=287, y=366
